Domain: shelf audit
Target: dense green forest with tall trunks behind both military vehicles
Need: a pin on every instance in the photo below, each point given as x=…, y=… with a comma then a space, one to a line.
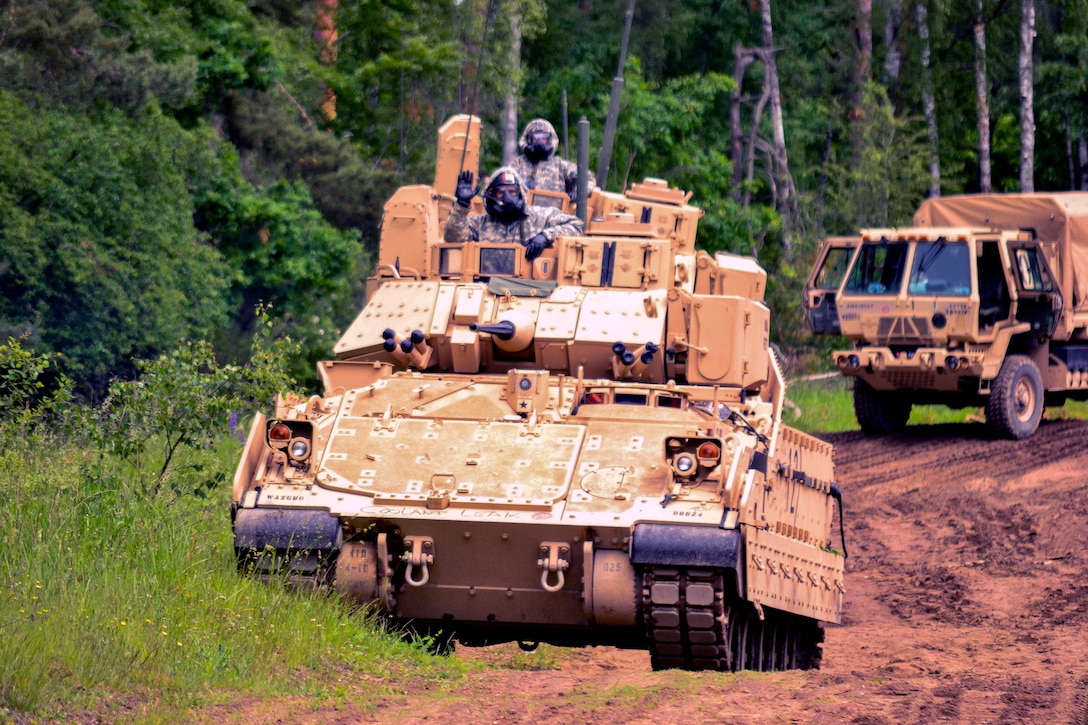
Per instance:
x=167, y=167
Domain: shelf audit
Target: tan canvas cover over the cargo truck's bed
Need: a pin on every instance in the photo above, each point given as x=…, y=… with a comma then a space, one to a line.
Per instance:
x=1060, y=218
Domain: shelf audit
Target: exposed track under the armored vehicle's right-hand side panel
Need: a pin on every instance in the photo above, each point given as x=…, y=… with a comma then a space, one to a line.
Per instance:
x=693, y=625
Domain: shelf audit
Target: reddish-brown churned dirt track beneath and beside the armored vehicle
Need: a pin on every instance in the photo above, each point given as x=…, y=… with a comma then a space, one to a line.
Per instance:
x=967, y=601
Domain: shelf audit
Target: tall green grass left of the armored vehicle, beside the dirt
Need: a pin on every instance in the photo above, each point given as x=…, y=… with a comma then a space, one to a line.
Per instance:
x=104, y=592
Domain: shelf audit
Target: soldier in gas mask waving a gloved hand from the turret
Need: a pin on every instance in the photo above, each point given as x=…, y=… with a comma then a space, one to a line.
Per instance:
x=509, y=218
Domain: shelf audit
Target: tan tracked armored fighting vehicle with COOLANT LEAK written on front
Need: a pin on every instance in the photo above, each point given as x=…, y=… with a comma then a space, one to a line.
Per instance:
x=586, y=449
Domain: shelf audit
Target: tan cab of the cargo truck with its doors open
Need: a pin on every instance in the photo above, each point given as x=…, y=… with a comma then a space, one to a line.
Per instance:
x=933, y=315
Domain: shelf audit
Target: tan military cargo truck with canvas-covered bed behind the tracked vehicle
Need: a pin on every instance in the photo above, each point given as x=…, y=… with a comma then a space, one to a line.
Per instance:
x=983, y=302
